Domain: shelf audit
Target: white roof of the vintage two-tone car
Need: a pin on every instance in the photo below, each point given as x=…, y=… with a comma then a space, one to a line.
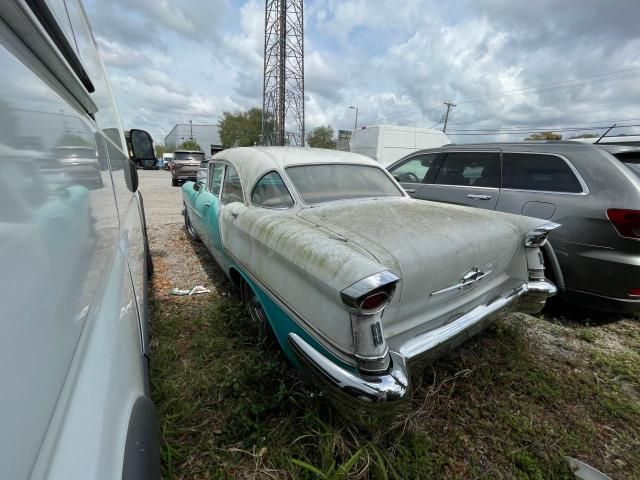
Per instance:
x=253, y=162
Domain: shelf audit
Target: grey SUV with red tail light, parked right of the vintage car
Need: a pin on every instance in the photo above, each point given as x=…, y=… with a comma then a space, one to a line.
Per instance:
x=594, y=258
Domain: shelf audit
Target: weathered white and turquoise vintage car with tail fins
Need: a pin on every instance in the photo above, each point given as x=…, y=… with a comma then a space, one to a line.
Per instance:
x=356, y=279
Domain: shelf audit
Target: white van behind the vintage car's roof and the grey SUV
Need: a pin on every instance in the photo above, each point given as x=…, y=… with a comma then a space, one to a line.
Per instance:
x=388, y=143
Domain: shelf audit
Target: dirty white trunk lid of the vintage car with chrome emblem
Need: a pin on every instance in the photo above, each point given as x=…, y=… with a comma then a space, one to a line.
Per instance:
x=430, y=246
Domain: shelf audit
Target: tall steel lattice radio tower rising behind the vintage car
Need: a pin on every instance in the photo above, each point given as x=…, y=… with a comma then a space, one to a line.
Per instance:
x=283, y=89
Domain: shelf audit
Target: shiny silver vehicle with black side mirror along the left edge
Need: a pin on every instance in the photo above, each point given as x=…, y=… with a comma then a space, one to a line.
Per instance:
x=74, y=259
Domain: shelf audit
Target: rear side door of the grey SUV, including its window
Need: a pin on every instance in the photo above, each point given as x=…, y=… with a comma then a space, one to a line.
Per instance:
x=466, y=178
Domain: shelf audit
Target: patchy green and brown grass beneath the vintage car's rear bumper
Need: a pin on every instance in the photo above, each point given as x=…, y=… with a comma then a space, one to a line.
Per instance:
x=231, y=407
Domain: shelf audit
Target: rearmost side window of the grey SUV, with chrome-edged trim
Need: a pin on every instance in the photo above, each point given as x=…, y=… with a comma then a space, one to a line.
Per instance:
x=547, y=173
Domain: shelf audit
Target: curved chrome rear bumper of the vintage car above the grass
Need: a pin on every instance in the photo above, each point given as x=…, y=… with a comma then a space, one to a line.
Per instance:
x=366, y=394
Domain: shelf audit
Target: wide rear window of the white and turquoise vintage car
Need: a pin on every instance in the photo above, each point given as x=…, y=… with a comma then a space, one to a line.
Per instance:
x=331, y=182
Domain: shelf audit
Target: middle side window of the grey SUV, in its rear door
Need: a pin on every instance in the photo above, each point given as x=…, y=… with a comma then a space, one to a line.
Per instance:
x=470, y=169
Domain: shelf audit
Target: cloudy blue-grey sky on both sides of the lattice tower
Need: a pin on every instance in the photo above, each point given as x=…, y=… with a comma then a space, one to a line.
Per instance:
x=509, y=65
